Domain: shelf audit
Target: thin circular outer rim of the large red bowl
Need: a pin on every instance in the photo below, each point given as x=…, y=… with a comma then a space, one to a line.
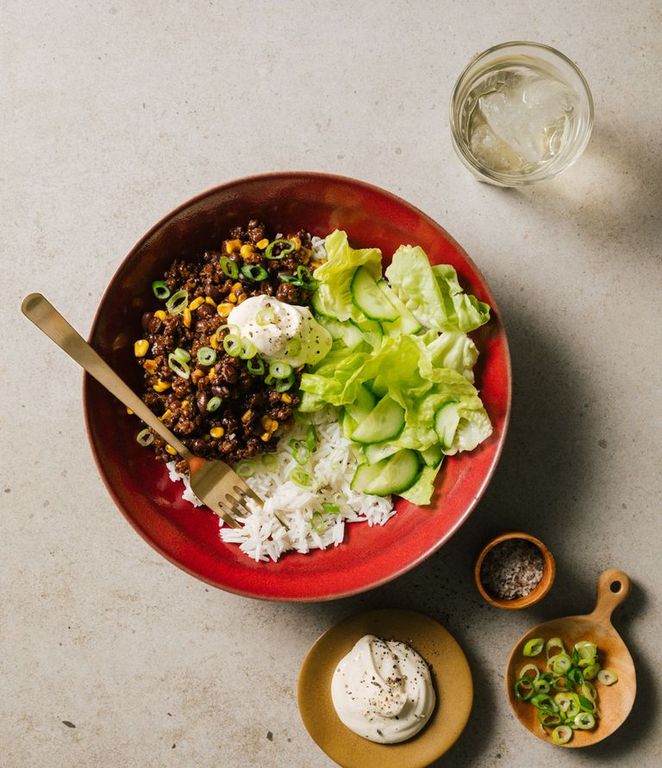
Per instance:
x=333, y=178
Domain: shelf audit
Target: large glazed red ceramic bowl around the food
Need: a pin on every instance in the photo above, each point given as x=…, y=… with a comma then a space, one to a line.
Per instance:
x=189, y=537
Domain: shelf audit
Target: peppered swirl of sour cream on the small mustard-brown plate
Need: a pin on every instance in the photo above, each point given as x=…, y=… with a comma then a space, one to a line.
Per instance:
x=382, y=690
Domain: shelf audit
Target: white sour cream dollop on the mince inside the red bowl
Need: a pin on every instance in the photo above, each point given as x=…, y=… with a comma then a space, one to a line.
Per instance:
x=281, y=332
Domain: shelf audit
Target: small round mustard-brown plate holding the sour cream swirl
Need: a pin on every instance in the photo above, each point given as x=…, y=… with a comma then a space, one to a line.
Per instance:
x=450, y=673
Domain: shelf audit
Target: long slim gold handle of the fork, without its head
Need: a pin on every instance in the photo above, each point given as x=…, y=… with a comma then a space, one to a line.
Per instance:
x=44, y=315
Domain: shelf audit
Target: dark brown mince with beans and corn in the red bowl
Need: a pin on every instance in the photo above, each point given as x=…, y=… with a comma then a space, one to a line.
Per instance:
x=251, y=415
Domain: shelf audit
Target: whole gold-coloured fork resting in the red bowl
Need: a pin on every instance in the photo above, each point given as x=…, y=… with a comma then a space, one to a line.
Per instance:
x=213, y=482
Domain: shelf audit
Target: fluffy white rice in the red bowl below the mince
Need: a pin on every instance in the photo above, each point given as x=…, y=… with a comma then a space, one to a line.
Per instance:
x=330, y=469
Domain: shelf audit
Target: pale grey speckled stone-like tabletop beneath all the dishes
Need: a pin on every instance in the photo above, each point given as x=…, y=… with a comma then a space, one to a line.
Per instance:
x=115, y=112
